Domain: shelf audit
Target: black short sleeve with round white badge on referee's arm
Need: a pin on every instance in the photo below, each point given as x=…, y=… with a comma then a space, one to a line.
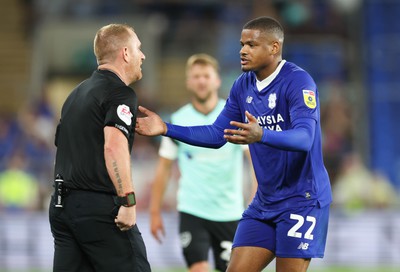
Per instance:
x=121, y=110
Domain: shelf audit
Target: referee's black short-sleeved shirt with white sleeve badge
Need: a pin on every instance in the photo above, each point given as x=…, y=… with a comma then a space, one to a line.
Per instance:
x=101, y=100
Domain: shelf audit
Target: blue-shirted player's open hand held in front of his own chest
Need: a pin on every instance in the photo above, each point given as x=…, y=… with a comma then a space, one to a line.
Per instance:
x=246, y=133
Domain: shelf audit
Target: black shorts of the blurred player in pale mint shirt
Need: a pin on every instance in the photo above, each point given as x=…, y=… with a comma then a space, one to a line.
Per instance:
x=198, y=235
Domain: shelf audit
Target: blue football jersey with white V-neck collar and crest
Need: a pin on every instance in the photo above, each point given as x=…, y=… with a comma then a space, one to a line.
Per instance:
x=286, y=179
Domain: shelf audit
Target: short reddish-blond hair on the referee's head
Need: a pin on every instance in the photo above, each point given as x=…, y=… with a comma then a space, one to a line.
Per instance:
x=109, y=39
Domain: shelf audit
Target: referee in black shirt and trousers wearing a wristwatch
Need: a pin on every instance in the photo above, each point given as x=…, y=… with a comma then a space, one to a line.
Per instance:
x=92, y=212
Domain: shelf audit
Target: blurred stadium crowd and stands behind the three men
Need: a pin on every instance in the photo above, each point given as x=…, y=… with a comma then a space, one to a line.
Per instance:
x=350, y=47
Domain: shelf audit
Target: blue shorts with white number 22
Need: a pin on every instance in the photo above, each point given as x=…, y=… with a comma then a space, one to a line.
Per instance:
x=291, y=233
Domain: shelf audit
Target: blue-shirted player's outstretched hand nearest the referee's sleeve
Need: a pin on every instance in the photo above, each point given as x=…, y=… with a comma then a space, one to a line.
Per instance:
x=151, y=124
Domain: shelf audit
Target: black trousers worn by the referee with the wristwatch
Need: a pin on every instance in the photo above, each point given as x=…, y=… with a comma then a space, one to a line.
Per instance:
x=87, y=239
